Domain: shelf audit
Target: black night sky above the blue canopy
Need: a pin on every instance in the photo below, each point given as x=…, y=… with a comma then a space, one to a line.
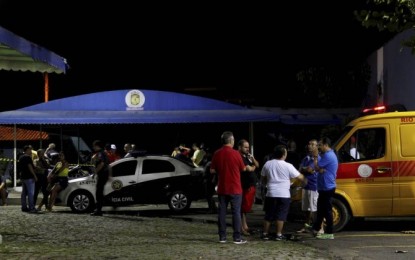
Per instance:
x=202, y=49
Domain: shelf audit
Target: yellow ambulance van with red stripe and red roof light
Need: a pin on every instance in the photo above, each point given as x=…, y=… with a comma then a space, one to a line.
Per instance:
x=376, y=174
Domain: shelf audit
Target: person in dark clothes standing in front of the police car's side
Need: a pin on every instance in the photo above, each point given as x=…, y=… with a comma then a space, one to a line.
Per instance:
x=102, y=173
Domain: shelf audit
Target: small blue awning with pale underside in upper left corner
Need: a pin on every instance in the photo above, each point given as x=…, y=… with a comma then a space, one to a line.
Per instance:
x=19, y=54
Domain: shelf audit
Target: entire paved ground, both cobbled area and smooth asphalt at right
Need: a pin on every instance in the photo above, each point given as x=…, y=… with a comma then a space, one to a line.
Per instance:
x=153, y=232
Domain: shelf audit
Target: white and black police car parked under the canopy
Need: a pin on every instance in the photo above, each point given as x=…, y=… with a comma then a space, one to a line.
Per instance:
x=149, y=179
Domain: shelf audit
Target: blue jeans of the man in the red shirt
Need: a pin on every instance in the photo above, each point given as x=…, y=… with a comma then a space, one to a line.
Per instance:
x=236, y=201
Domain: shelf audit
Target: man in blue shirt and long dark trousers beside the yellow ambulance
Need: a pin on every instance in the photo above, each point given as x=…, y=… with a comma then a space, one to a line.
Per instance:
x=326, y=167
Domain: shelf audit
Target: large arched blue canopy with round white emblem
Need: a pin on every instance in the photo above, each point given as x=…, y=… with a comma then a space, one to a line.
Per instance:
x=134, y=107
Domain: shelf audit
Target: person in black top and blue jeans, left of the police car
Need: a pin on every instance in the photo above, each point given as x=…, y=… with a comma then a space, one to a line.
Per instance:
x=29, y=178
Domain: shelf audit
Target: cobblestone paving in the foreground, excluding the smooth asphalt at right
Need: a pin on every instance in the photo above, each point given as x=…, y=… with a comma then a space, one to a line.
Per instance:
x=147, y=232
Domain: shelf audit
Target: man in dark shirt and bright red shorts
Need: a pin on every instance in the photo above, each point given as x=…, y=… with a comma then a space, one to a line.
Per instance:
x=248, y=180
